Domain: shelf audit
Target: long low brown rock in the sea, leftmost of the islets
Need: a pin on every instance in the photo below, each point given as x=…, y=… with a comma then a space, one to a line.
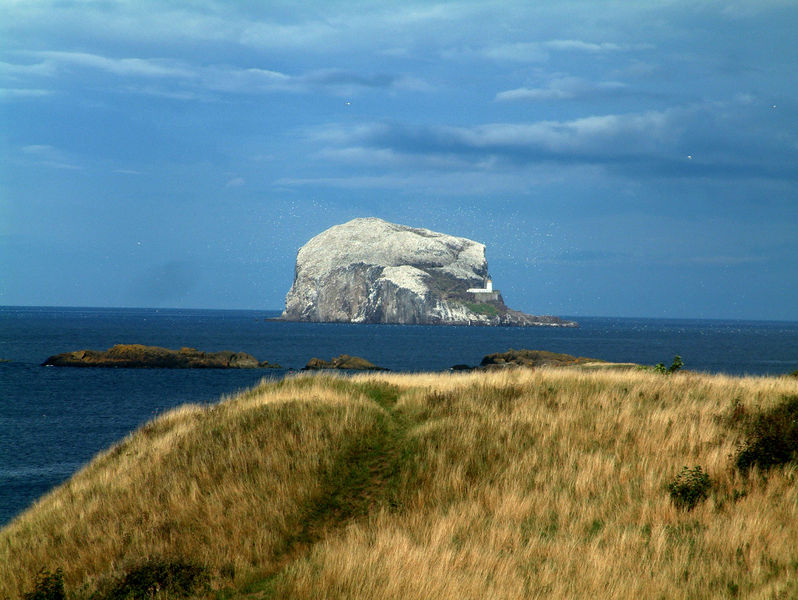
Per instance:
x=137, y=356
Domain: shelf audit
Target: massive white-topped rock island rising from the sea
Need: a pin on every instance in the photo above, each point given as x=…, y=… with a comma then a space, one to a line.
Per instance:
x=371, y=271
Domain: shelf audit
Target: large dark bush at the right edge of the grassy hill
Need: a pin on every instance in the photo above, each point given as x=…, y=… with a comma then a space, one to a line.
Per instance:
x=771, y=437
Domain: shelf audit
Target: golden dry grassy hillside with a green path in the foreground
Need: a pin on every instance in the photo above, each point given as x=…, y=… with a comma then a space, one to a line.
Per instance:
x=550, y=483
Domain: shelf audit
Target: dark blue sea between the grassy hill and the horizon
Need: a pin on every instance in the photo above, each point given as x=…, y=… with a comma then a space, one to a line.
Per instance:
x=53, y=420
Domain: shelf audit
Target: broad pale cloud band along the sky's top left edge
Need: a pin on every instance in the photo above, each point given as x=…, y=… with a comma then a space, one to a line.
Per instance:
x=321, y=27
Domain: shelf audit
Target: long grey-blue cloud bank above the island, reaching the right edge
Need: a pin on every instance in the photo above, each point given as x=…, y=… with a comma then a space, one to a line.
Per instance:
x=702, y=140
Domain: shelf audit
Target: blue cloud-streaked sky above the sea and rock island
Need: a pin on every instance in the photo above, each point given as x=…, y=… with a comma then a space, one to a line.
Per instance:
x=630, y=159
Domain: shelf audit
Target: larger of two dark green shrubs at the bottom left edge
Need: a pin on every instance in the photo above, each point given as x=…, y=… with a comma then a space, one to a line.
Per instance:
x=156, y=576
